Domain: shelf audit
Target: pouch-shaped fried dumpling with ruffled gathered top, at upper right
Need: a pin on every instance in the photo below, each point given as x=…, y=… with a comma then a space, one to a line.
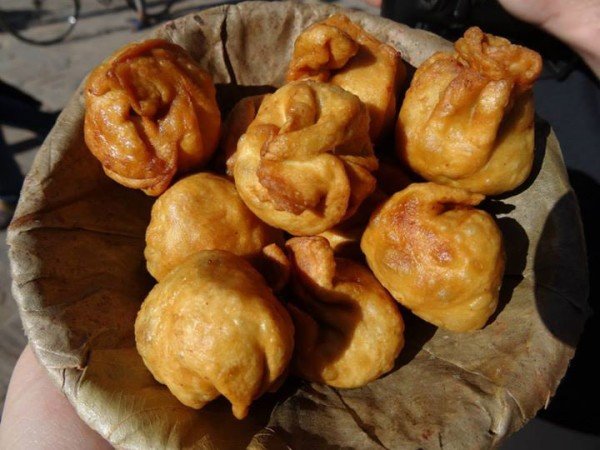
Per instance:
x=467, y=119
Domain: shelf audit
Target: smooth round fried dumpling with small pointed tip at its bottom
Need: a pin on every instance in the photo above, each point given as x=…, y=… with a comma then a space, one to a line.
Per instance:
x=212, y=327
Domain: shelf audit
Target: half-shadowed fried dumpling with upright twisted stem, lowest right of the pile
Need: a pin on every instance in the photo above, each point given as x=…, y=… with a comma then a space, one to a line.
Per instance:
x=348, y=329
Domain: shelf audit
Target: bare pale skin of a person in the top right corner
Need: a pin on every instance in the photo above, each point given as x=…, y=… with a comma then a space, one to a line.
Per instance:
x=575, y=22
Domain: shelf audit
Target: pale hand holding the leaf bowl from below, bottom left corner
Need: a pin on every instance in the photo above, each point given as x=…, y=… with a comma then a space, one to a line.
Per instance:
x=38, y=416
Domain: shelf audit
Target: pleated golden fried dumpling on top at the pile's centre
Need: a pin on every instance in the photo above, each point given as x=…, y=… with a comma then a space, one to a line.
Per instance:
x=305, y=162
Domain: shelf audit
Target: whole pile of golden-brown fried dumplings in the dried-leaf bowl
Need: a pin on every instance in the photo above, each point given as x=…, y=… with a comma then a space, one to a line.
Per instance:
x=236, y=308
